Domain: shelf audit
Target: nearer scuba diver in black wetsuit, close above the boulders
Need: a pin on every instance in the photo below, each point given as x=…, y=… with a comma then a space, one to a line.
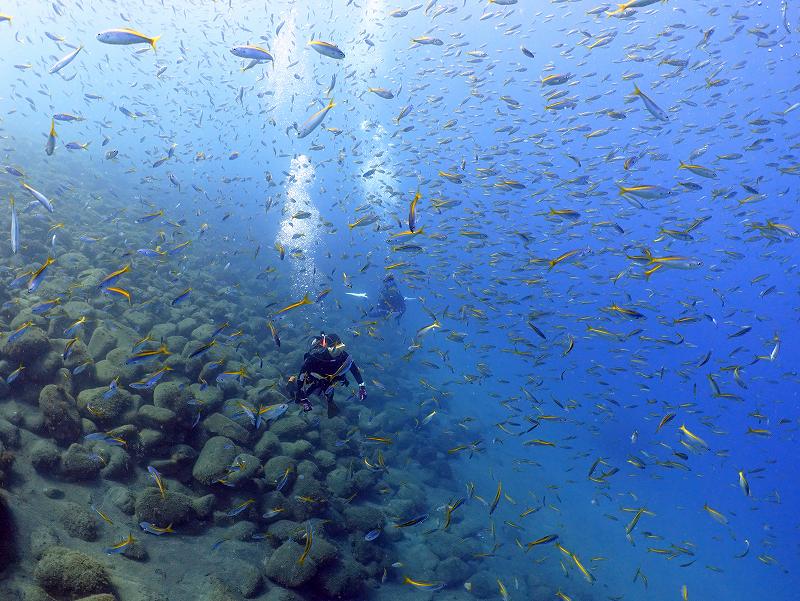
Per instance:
x=325, y=365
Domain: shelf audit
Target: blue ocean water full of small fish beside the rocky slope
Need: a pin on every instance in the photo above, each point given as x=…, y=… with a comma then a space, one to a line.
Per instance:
x=585, y=283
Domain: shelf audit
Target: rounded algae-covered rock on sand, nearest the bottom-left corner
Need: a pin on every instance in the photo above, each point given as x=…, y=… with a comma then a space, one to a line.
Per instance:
x=69, y=574
